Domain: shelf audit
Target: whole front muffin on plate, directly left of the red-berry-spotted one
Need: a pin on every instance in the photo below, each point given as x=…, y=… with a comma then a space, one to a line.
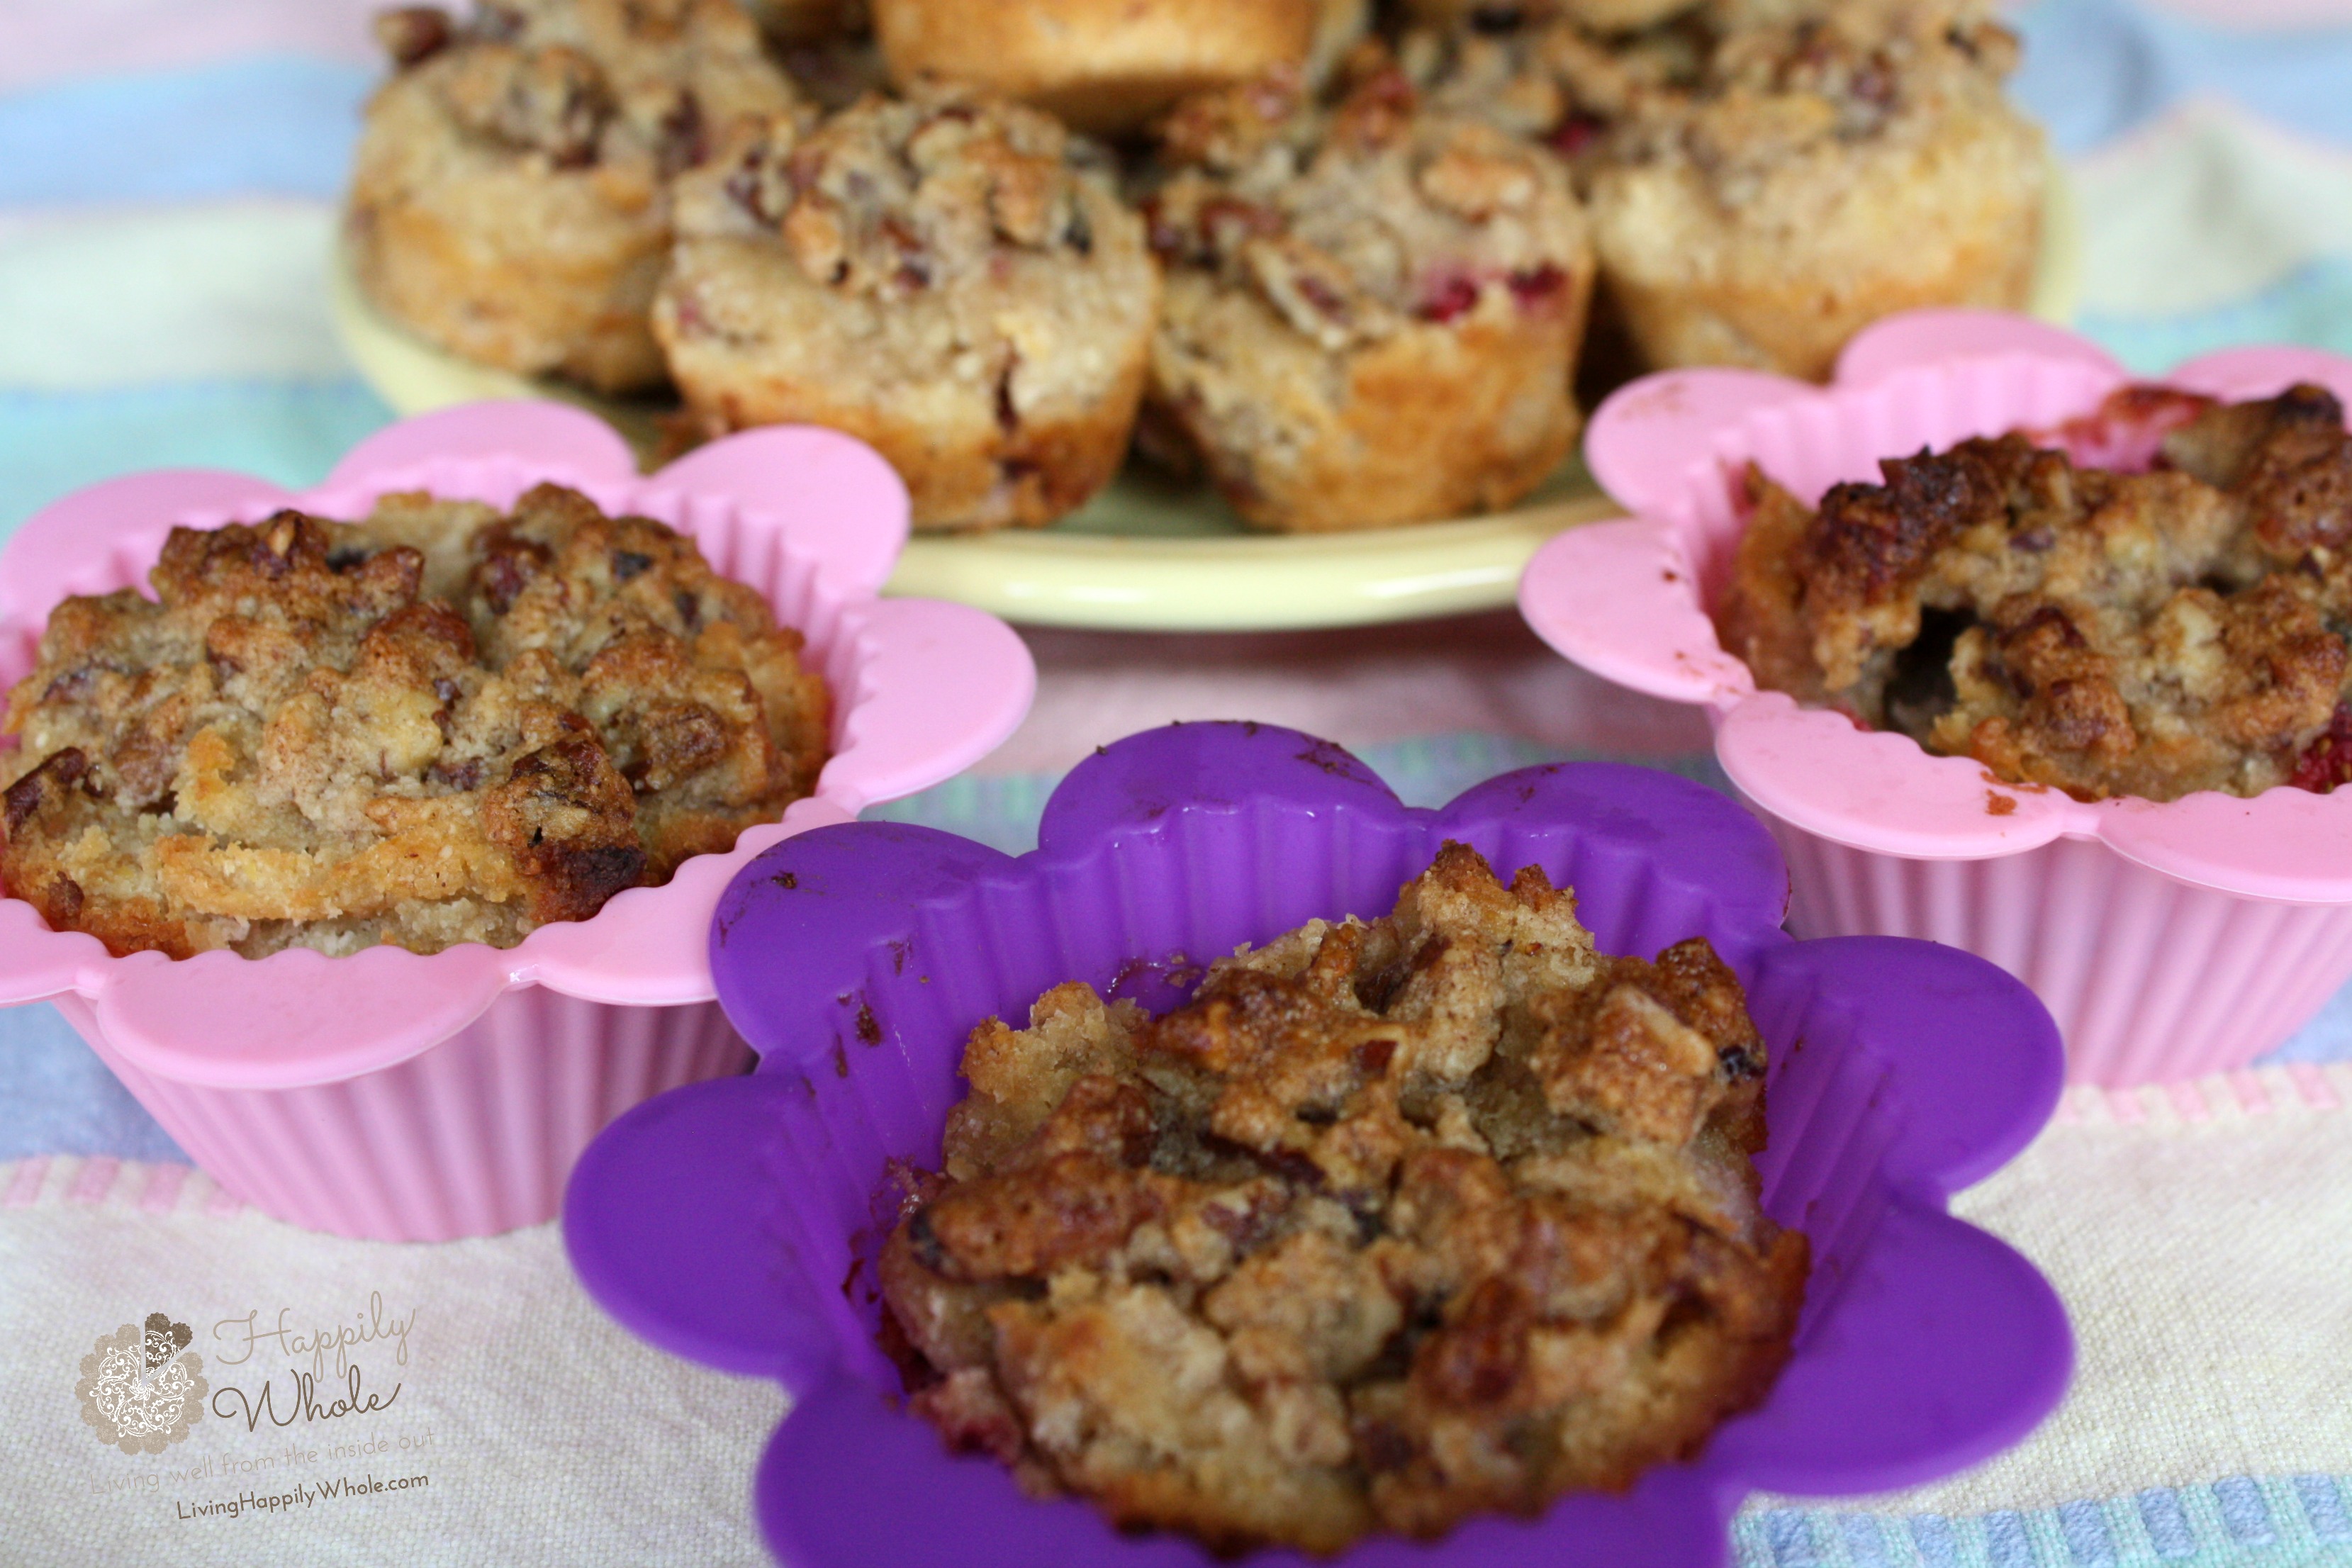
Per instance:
x=949, y=279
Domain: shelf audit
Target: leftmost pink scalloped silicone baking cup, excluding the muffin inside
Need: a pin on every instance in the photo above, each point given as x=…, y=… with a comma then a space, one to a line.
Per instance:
x=413, y=1099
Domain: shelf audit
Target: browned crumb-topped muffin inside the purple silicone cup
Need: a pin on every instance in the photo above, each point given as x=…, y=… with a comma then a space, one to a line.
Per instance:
x=1394, y=1224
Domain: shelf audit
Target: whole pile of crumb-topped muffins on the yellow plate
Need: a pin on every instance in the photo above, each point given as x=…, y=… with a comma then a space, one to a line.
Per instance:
x=1339, y=264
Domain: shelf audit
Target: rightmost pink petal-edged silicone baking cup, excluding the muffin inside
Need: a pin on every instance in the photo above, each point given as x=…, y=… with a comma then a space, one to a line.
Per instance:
x=2170, y=939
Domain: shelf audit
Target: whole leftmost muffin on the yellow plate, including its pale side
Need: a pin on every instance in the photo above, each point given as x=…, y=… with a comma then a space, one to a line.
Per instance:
x=509, y=189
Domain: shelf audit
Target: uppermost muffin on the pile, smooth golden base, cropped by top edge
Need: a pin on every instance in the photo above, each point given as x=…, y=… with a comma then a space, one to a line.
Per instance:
x=1109, y=65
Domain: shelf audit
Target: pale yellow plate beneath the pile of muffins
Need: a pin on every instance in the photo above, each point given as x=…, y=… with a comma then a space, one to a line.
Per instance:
x=1149, y=556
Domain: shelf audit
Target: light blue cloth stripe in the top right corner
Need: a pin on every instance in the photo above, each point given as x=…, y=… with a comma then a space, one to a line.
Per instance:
x=2097, y=69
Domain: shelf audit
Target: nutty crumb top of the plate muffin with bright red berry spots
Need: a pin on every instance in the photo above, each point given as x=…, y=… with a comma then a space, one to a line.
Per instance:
x=1363, y=217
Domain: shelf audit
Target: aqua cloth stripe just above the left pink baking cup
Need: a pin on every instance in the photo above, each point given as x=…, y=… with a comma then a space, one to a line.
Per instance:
x=286, y=431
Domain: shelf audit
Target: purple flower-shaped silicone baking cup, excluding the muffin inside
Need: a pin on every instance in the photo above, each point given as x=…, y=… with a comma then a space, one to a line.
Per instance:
x=735, y=1221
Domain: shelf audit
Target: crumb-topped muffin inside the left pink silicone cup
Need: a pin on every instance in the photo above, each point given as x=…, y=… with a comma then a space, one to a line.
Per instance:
x=439, y=725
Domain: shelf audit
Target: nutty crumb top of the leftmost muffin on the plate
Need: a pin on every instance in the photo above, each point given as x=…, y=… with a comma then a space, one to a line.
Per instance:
x=624, y=86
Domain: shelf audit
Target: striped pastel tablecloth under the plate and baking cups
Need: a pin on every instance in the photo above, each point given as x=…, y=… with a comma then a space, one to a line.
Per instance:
x=168, y=177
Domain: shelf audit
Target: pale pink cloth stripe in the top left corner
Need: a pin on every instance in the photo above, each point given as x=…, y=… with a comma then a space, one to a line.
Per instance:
x=46, y=41
